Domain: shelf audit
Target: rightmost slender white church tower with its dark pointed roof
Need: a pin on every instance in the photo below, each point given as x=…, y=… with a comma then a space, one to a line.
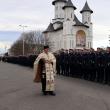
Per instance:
x=86, y=19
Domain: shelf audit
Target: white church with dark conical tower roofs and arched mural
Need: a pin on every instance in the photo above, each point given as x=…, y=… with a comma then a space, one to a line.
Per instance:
x=66, y=31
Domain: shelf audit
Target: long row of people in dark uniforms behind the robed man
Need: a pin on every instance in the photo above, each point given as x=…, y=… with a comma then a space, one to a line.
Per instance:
x=93, y=66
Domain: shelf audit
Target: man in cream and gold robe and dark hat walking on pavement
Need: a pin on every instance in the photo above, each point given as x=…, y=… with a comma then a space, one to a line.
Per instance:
x=45, y=70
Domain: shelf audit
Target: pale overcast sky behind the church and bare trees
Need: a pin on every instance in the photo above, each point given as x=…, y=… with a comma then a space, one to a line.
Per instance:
x=37, y=14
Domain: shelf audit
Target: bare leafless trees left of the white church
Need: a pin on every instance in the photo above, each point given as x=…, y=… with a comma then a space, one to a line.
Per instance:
x=33, y=43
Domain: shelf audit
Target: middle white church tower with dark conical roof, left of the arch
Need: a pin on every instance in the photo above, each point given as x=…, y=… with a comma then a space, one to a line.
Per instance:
x=68, y=22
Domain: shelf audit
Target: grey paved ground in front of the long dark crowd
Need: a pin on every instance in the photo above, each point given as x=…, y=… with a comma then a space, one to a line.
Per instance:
x=18, y=92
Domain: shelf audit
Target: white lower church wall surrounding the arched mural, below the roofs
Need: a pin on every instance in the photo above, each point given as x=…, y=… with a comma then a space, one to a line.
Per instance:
x=68, y=41
